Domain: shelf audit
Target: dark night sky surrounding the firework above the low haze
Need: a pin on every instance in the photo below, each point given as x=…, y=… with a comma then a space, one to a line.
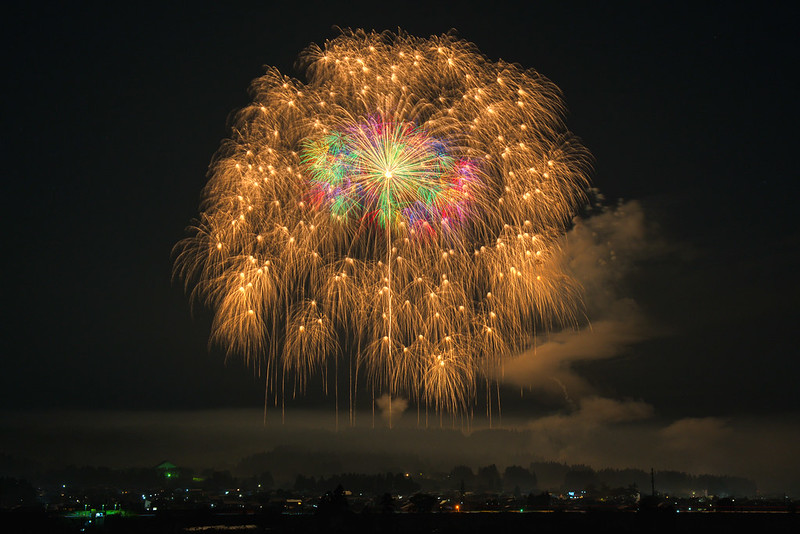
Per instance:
x=111, y=115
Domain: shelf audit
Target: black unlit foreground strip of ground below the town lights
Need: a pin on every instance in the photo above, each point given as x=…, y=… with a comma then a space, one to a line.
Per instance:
x=495, y=523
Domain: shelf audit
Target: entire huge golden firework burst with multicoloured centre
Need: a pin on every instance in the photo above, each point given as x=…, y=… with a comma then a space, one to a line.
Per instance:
x=406, y=205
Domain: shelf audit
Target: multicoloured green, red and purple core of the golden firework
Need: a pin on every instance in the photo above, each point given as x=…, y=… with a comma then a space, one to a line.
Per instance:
x=389, y=173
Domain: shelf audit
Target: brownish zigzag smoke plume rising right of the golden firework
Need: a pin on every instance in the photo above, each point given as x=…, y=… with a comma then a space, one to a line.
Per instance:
x=602, y=250
